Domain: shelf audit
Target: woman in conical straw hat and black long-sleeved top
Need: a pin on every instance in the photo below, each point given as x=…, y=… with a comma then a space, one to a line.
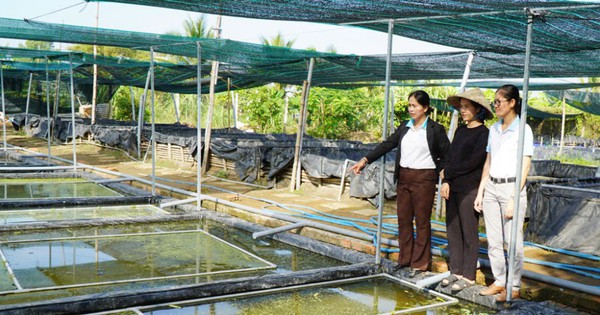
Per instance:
x=461, y=178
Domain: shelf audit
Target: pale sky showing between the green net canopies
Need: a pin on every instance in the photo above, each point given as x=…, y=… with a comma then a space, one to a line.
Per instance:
x=345, y=39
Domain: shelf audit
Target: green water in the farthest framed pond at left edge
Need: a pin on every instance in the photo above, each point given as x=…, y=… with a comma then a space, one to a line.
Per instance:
x=52, y=188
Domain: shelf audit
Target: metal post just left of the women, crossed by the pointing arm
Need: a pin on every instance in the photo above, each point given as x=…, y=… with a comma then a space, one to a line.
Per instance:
x=386, y=104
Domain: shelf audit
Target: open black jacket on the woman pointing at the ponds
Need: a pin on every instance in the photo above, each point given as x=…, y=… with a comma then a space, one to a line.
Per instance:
x=437, y=140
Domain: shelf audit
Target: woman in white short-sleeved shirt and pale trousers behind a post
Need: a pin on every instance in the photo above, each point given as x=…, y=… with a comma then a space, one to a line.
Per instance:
x=498, y=183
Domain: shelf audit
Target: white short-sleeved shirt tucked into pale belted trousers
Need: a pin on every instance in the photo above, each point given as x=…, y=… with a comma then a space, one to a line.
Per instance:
x=503, y=147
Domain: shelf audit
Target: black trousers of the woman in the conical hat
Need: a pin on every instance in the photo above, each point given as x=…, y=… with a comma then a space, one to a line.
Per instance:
x=463, y=240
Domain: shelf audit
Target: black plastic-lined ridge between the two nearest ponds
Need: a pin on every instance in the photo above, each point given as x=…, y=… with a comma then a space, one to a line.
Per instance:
x=125, y=299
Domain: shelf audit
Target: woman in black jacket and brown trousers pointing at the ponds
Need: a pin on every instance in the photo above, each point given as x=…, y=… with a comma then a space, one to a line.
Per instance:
x=422, y=146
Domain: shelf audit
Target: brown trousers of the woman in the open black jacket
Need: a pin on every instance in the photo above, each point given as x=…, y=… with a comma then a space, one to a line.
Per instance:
x=416, y=190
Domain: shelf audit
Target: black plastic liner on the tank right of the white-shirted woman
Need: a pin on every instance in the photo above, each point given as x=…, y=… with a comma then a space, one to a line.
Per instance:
x=565, y=217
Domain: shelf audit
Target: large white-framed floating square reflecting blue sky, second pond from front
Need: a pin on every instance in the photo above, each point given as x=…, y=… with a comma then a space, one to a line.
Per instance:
x=75, y=262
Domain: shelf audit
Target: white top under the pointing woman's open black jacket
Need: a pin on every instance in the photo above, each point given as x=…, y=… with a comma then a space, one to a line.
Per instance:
x=414, y=150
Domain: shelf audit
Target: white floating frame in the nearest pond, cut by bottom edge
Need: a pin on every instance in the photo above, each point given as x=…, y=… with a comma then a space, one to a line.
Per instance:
x=377, y=294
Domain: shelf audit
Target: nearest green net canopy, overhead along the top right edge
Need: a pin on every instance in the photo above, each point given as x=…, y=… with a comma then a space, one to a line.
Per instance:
x=481, y=25
